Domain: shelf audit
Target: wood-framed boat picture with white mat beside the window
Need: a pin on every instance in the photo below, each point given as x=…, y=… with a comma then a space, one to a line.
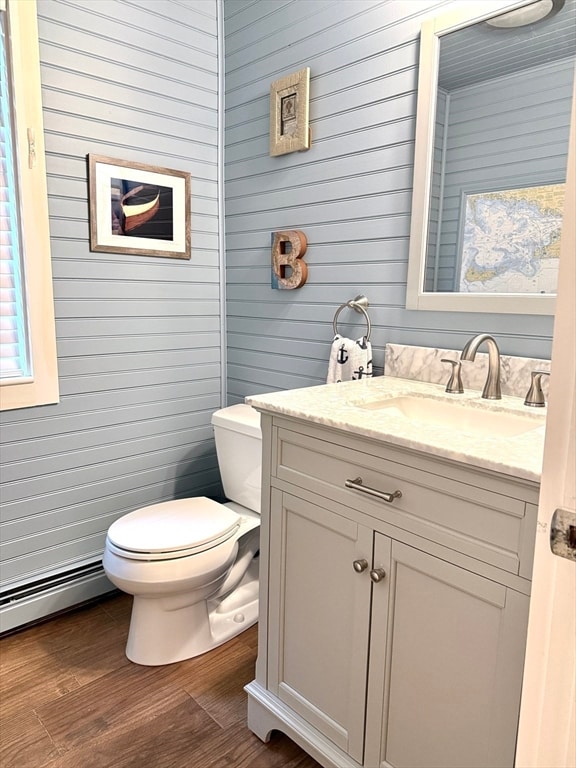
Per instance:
x=138, y=209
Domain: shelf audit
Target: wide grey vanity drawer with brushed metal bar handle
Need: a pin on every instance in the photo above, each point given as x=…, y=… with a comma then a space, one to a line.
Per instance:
x=462, y=514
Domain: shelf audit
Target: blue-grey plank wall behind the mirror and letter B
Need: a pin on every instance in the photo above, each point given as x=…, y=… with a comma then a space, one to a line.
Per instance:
x=350, y=193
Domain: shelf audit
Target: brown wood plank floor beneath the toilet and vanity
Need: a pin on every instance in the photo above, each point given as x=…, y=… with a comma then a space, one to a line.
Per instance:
x=69, y=698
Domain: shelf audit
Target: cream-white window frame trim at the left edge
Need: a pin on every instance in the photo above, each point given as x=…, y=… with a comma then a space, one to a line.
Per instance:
x=23, y=50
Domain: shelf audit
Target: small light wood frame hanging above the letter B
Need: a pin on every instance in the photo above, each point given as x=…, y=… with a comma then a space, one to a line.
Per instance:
x=289, y=128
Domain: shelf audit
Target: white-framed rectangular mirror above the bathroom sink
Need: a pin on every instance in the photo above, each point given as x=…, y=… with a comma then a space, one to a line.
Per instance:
x=492, y=128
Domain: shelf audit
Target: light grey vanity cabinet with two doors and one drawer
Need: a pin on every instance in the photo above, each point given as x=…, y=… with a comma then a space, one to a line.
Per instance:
x=392, y=633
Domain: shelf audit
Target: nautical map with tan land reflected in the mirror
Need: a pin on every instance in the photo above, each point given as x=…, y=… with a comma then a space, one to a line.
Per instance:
x=510, y=240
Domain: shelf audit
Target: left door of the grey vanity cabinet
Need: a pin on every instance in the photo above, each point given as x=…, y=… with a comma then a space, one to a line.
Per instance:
x=319, y=614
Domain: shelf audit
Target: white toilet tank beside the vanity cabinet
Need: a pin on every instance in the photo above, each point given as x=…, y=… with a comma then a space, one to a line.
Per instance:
x=239, y=449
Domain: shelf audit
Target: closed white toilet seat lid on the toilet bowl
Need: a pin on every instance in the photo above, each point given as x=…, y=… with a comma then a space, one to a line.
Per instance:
x=172, y=529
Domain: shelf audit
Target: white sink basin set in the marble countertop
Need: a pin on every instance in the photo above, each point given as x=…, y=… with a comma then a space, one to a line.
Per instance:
x=485, y=421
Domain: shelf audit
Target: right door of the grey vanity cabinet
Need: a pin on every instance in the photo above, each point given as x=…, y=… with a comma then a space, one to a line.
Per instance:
x=448, y=694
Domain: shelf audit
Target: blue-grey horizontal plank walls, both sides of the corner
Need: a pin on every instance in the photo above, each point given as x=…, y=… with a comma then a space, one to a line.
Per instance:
x=139, y=338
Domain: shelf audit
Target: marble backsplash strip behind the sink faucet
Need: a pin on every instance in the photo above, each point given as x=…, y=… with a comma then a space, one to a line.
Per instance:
x=424, y=364
